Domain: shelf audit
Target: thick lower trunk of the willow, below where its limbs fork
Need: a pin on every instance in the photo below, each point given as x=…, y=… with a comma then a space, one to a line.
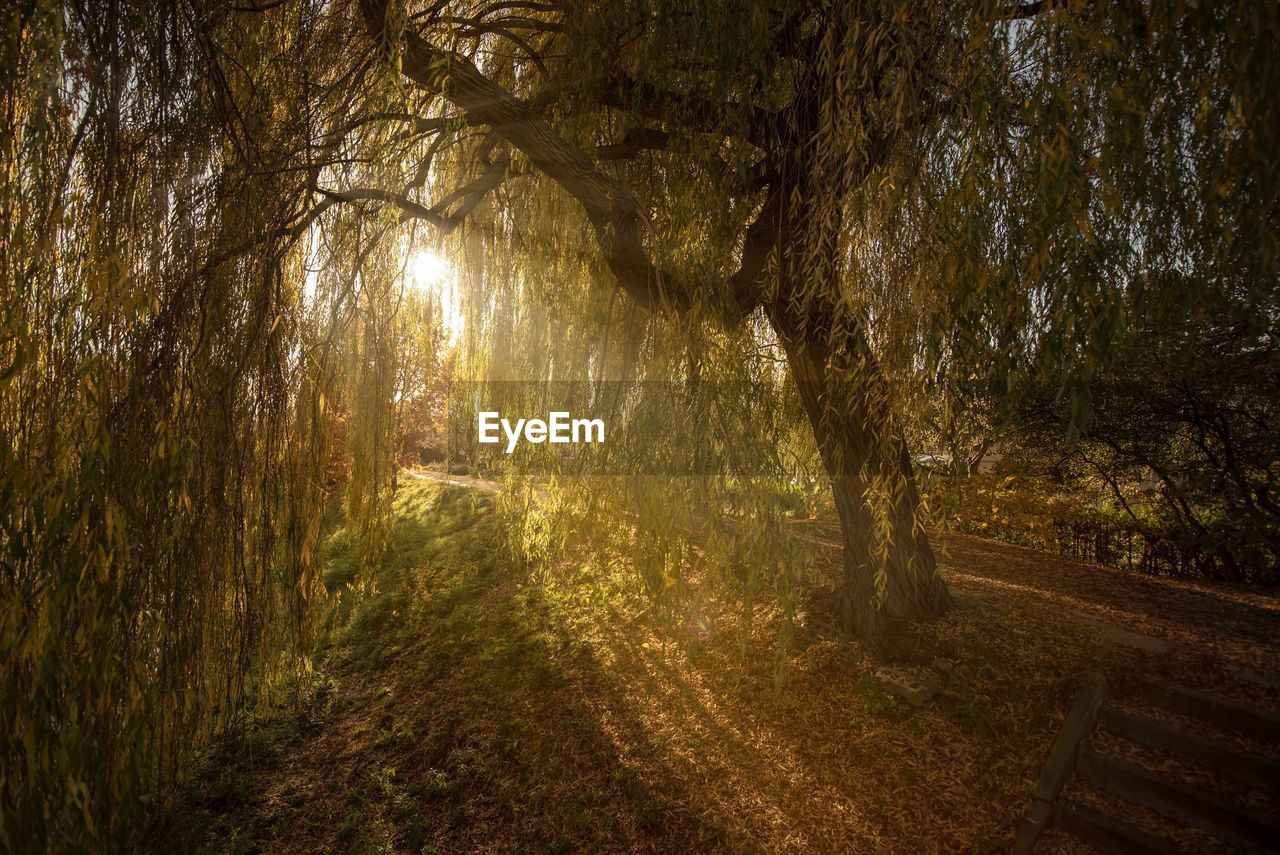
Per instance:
x=889, y=566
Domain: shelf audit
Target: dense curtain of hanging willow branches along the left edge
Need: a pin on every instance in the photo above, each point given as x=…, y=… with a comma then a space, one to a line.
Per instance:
x=168, y=355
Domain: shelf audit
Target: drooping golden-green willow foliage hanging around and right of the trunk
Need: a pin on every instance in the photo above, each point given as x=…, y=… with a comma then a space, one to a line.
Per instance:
x=995, y=196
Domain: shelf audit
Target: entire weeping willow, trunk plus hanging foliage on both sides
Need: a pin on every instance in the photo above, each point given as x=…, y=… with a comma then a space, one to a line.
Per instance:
x=205, y=208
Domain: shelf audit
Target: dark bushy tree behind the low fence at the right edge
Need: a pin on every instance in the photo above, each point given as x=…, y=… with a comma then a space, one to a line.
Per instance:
x=1187, y=427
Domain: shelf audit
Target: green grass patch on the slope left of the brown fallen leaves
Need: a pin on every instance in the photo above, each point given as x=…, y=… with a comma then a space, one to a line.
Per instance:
x=427, y=679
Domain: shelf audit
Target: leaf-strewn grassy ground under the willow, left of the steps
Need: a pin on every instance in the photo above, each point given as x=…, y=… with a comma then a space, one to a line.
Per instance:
x=463, y=706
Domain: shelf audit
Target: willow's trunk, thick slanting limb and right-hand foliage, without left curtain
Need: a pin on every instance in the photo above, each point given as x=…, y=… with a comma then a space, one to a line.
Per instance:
x=980, y=193
